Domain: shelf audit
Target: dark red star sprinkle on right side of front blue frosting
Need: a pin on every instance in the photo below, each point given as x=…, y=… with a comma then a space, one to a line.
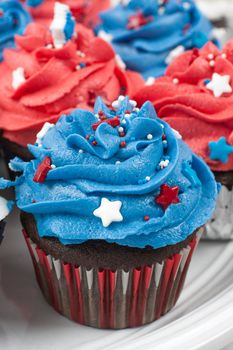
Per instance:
x=168, y=195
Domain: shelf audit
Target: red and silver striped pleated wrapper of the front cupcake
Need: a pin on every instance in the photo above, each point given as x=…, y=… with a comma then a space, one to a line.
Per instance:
x=103, y=298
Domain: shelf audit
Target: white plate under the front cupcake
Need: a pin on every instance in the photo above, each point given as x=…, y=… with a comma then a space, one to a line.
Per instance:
x=202, y=318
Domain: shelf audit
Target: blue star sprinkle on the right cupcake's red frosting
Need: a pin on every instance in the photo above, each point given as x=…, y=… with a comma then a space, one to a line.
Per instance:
x=220, y=150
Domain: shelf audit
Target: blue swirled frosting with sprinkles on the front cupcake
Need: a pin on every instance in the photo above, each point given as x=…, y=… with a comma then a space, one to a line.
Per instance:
x=119, y=175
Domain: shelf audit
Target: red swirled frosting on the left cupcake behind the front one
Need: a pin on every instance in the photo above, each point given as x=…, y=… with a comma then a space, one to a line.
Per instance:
x=53, y=85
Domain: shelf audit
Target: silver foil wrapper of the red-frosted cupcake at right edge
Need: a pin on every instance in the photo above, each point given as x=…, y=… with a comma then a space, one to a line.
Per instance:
x=220, y=227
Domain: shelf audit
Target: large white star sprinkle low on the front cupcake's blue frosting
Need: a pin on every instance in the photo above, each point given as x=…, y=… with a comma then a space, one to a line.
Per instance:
x=109, y=212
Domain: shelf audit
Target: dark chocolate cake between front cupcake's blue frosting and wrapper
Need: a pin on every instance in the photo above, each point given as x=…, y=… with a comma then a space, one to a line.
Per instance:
x=98, y=253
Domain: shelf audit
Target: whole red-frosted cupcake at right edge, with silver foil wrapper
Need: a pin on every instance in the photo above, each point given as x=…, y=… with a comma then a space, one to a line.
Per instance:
x=196, y=98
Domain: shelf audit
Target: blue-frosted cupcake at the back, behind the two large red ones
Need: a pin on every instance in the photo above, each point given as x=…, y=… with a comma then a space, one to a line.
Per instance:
x=148, y=35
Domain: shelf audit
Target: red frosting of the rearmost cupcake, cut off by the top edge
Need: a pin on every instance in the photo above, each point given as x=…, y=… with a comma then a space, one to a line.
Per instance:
x=85, y=11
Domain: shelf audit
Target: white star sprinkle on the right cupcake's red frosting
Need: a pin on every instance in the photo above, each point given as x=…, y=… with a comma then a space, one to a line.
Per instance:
x=220, y=84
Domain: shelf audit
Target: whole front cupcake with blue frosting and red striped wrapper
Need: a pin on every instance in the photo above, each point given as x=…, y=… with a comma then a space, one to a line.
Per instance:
x=113, y=206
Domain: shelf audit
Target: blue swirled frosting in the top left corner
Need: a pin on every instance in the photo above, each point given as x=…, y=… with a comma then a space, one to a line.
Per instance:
x=13, y=20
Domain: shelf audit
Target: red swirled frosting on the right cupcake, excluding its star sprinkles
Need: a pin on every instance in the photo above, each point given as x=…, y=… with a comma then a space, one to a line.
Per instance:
x=189, y=106
